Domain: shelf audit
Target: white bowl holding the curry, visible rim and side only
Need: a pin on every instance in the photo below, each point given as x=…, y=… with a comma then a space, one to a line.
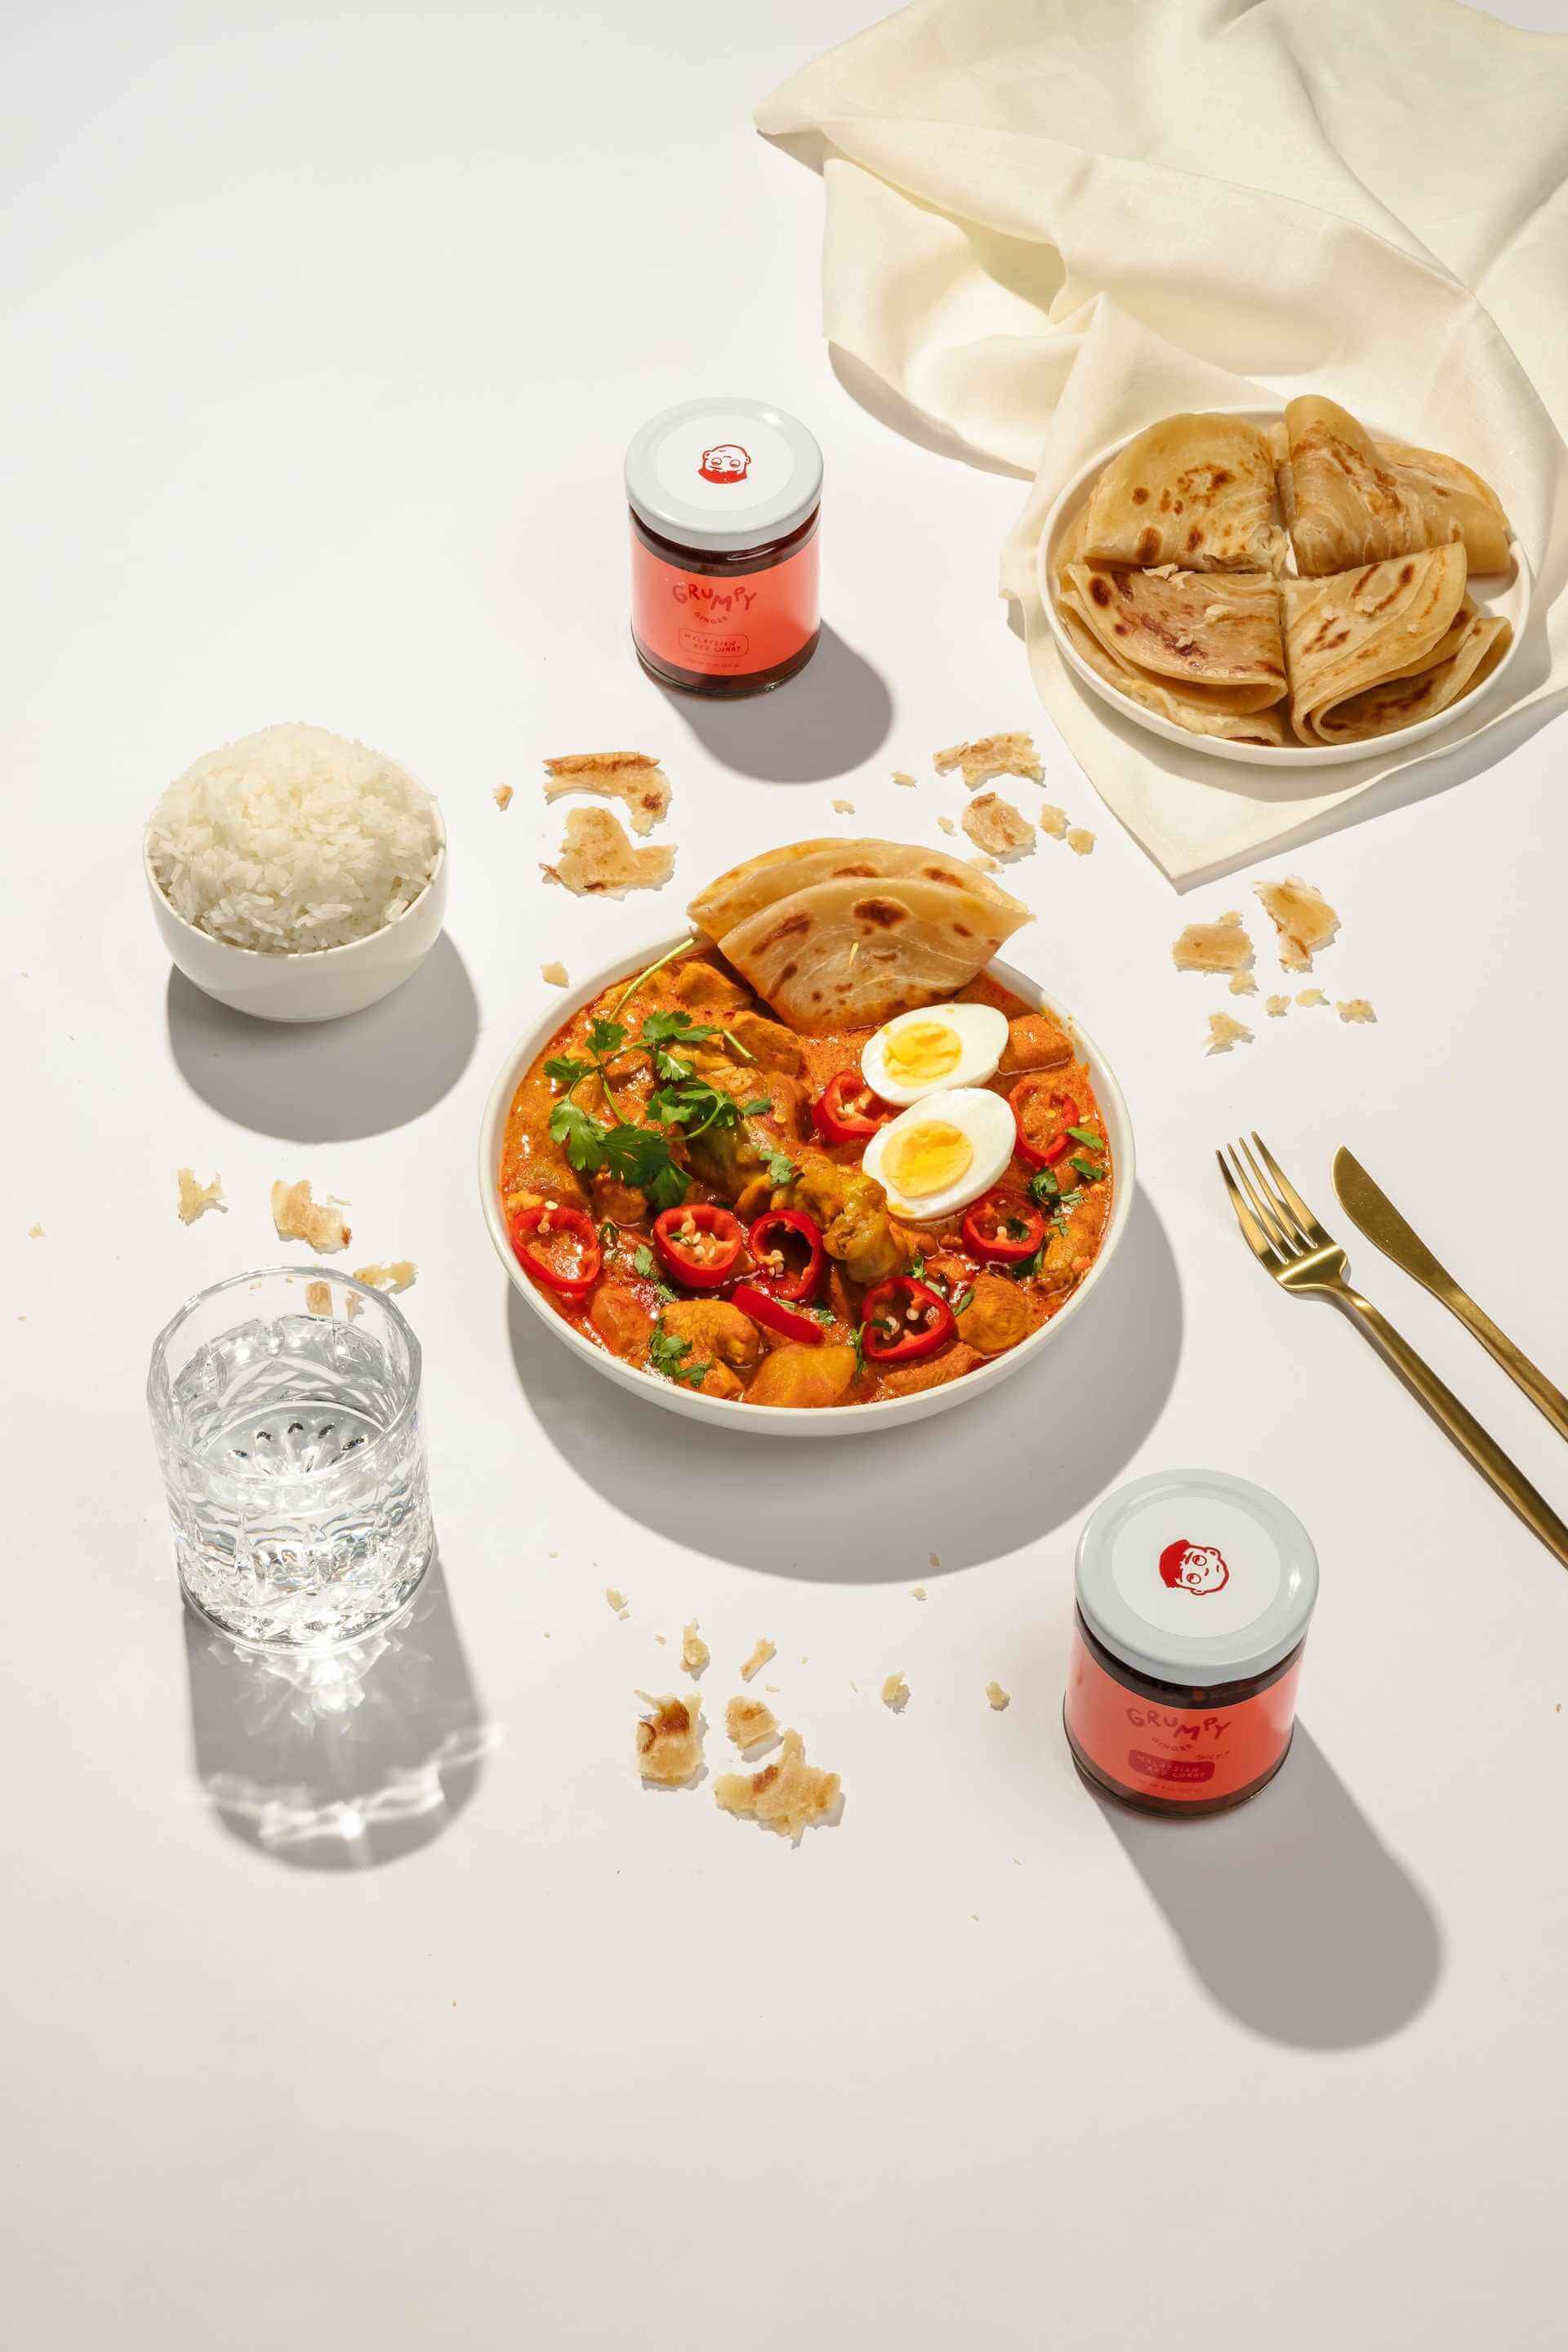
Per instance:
x=782, y=1419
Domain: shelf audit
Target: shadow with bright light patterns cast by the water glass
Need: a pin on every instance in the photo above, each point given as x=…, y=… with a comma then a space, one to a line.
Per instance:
x=344, y=1760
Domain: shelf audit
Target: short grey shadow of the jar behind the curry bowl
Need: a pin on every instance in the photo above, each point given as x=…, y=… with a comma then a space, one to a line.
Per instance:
x=824, y=723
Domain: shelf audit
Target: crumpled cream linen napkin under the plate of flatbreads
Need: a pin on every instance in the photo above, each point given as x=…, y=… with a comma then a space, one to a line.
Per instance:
x=1054, y=222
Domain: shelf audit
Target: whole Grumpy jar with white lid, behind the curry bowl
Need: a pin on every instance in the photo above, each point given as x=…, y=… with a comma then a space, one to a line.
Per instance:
x=725, y=502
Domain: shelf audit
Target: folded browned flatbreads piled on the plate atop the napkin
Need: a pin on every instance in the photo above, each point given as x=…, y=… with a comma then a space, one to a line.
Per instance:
x=1296, y=584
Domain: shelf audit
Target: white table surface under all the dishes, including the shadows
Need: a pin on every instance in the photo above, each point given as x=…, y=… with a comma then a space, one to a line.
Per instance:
x=422, y=2022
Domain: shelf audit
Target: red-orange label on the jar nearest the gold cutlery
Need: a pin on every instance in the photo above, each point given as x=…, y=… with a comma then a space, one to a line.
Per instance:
x=1177, y=1756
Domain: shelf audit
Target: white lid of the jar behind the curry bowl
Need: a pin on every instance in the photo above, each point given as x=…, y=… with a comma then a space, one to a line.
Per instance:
x=723, y=474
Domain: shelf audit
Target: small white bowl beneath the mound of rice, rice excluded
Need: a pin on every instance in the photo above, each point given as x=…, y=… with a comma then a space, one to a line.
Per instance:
x=321, y=984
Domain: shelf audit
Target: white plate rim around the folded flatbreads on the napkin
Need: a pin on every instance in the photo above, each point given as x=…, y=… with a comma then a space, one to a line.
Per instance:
x=1506, y=594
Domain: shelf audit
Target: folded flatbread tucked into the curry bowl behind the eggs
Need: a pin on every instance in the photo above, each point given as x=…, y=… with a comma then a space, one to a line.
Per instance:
x=845, y=935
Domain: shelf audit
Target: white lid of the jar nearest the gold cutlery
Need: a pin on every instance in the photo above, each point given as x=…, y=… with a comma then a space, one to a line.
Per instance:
x=1195, y=1577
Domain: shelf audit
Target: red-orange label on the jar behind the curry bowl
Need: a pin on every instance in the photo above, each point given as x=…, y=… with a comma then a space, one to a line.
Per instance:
x=725, y=627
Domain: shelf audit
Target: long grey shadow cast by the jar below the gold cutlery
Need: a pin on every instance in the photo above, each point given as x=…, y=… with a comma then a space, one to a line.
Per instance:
x=1292, y=1913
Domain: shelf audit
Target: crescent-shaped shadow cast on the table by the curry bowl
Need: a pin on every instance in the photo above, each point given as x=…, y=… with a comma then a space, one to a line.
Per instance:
x=1040, y=1448
